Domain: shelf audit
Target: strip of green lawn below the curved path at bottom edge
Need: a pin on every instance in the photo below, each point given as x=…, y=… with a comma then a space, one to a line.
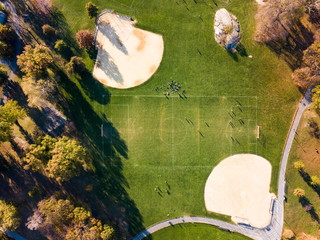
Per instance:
x=195, y=231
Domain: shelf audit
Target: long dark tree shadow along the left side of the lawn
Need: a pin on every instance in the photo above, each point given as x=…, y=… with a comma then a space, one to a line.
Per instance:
x=109, y=199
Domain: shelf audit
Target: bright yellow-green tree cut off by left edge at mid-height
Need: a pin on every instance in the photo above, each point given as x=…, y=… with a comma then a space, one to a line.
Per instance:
x=9, y=114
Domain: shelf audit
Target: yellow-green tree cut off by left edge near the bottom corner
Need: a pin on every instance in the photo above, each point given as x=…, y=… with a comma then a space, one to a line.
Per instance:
x=9, y=220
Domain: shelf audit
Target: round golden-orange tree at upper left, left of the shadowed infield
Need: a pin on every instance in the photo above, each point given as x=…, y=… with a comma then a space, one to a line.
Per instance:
x=34, y=61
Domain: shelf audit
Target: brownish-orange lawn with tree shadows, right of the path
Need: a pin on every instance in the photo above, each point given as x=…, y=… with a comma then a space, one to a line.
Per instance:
x=296, y=218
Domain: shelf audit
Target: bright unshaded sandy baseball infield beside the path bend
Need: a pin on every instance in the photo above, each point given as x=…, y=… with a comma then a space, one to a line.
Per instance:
x=239, y=187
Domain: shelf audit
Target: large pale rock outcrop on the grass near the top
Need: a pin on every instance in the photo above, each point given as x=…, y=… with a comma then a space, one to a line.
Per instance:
x=227, y=29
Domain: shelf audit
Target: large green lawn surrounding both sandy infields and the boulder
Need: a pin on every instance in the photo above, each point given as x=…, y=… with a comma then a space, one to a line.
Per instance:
x=162, y=145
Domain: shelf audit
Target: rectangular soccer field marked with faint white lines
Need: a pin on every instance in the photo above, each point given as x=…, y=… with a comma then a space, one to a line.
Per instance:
x=175, y=131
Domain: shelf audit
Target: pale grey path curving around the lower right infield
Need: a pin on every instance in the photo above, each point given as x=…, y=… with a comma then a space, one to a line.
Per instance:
x=274, y=229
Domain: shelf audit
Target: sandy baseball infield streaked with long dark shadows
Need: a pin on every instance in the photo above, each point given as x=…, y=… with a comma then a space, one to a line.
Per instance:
x=127, y=56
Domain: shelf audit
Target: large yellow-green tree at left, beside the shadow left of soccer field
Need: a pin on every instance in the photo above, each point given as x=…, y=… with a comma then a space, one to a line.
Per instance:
x=68, y=157
